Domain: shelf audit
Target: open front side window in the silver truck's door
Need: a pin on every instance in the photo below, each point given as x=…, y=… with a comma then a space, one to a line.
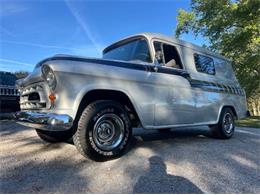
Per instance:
x=167, y=55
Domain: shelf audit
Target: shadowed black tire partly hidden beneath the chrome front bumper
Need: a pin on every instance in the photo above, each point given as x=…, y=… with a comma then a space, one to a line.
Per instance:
x=54, y=136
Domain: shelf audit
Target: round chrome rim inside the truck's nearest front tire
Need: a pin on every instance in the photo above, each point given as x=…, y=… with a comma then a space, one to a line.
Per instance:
x=108, y=132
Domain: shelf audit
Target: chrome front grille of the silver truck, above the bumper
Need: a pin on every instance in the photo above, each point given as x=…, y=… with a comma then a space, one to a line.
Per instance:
x=34, y=97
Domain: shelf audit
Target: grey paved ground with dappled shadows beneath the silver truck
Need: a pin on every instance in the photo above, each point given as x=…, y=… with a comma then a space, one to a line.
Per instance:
x=182, y=161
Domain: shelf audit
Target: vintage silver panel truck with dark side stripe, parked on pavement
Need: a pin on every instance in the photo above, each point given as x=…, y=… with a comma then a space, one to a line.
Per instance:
x=146, y=80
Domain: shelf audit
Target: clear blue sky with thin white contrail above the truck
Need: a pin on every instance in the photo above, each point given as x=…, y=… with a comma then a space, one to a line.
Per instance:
x=31, y=30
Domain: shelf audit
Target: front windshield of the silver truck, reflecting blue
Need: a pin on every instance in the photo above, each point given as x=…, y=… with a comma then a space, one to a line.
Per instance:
x=136, y=50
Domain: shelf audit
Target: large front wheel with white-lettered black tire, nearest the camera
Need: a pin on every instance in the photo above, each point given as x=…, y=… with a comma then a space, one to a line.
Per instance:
x=91, y=129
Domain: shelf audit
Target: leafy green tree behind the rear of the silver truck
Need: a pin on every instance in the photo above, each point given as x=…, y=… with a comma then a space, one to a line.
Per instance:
x=232, y=29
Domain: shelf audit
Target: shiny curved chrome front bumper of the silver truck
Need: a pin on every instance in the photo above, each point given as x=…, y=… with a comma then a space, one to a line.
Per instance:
x=44, y=121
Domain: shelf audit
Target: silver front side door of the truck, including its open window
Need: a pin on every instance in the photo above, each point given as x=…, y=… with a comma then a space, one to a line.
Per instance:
x=174, y=99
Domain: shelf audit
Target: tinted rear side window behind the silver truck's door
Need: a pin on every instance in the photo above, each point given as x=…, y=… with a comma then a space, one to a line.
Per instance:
x=204, y=64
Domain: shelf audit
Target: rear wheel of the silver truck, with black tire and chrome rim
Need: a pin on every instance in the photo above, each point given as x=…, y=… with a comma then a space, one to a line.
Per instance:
x=221, y=130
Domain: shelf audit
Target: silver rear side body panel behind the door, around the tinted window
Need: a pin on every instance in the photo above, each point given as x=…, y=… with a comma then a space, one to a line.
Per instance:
x=210, y=103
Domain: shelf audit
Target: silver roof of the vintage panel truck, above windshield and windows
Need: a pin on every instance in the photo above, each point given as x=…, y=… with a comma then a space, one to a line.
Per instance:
x=173, y=40
